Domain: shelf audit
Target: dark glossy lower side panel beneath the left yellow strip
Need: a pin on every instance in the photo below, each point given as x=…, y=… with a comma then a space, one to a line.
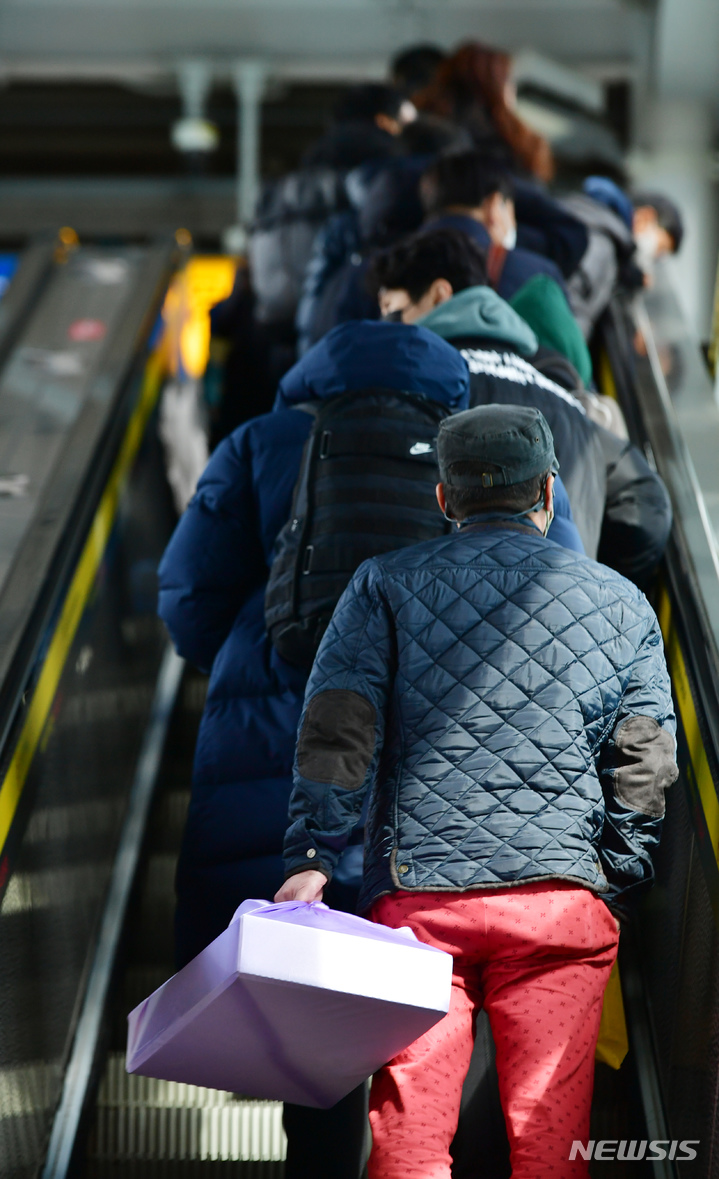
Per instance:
x=75, y=802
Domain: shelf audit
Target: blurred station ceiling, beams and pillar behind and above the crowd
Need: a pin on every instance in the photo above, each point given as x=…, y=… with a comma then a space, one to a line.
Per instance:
x=93, y=95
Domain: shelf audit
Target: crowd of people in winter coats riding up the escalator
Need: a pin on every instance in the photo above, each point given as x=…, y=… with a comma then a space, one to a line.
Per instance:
x=441, y=713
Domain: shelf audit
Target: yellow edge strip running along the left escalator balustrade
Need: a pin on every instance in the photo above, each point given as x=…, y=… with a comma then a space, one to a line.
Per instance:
x=77, y=597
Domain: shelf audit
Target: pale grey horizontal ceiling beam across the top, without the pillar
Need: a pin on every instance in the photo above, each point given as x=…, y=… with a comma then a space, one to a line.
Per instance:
x=140, y=39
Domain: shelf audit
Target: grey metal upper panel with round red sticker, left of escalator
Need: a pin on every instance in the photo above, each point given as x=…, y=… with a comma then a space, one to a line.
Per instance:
x=69, y=416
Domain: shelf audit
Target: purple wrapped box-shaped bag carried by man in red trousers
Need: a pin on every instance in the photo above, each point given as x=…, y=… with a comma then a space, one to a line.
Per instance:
x=294, y=1002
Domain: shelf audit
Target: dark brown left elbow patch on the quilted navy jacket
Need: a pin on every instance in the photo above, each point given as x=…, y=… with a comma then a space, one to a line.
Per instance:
x=338, y=739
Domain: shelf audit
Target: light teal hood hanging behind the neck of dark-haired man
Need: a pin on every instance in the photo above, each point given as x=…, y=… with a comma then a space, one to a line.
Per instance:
x=479, y=312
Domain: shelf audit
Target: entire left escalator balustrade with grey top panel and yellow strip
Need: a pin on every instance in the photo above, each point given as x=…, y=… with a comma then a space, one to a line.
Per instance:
x=81, y=647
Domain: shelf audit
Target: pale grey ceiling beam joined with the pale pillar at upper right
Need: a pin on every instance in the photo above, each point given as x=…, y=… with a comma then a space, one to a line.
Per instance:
x=667, y=49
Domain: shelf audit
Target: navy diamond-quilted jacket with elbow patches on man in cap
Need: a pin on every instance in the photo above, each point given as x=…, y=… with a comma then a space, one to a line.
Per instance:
x=505, y=702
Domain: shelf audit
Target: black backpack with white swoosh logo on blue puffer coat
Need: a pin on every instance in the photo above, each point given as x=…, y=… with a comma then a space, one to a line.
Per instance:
x=366, y=486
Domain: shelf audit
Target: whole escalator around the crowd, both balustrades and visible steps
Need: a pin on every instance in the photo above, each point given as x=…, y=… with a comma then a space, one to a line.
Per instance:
x=98, y=722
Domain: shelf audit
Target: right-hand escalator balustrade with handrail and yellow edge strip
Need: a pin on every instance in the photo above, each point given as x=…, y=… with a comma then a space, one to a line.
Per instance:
x=658, y=376
